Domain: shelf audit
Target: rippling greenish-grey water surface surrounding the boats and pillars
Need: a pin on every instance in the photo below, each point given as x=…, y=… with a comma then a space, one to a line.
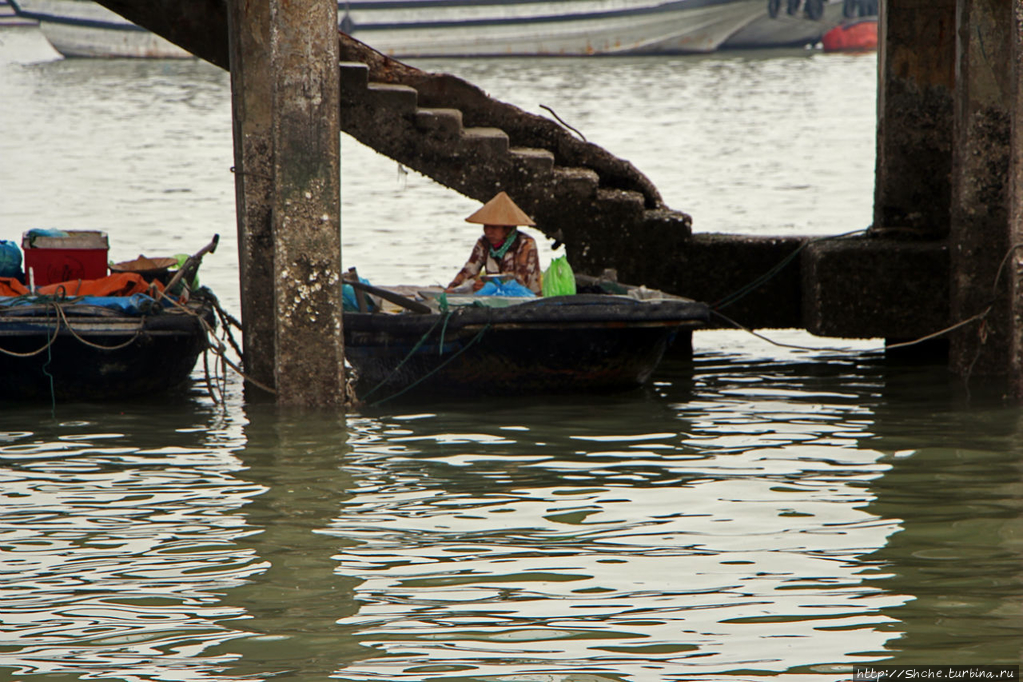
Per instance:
x=761, y=513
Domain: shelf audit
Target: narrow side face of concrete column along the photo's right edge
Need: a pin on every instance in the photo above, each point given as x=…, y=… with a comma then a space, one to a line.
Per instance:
x=1015, y=270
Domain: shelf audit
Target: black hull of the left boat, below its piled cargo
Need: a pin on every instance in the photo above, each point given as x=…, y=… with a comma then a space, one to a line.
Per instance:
x=99, y=348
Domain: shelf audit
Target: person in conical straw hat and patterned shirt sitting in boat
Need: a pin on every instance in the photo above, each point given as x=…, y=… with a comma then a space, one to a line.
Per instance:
x=503, y=250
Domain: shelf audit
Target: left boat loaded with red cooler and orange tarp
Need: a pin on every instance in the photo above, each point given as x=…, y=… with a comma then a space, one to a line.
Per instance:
x=101, y=338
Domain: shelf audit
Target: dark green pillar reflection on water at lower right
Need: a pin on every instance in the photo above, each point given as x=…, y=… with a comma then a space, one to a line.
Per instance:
x=955, y=481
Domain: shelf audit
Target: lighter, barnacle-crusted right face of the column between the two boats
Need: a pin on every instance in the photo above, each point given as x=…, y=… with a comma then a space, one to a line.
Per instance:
x=306, y=137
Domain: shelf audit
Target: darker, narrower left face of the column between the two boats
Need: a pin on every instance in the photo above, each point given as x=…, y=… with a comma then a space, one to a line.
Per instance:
x=249, y=24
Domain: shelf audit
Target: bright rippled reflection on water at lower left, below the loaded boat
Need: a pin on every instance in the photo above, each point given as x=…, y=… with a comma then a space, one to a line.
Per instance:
x=118, y=533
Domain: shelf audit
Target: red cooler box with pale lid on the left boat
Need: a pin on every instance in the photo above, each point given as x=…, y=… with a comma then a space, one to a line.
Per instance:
x=74, y=255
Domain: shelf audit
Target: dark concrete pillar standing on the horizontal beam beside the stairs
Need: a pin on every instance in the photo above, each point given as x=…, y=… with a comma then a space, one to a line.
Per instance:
x=916, y=83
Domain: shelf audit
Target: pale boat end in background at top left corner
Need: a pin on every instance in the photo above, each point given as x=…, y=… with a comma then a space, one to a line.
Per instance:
x=85, y=29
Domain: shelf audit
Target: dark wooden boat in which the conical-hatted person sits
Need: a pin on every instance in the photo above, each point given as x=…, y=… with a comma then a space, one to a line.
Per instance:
x=559, y=344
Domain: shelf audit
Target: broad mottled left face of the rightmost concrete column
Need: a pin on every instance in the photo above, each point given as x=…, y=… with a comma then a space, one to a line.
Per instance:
x=981, y=219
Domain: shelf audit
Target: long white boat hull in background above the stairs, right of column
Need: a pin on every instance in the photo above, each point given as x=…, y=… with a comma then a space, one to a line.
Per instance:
x=531, y=28
